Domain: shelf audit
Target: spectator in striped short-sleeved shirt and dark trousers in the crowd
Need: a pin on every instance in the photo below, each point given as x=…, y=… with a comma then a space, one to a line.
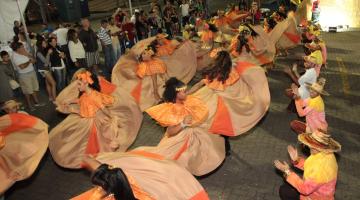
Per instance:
x=107, y=47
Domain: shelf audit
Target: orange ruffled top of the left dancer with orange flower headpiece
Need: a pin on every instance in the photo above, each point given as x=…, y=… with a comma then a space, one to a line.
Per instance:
x=92, y=102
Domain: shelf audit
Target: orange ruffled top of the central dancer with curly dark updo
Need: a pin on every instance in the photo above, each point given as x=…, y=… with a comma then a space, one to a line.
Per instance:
x=171, y=114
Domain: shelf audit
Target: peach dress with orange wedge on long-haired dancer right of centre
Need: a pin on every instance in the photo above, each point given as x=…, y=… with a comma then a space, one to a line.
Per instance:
x=238, y=104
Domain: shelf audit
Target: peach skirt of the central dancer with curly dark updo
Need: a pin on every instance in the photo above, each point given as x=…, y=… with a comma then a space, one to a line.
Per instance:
x=193, y=148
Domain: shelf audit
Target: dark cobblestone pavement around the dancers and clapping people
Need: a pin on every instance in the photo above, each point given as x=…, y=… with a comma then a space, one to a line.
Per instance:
x=248, y=173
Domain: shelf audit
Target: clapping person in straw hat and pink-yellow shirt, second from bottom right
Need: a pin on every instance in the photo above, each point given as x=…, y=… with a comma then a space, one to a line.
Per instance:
x=313, y=109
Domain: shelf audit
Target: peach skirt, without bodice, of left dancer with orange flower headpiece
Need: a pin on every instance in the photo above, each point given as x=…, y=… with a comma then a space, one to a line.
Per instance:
x=69, y=139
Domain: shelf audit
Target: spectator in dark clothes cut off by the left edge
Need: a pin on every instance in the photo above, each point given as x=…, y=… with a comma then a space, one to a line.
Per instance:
x=6, y=75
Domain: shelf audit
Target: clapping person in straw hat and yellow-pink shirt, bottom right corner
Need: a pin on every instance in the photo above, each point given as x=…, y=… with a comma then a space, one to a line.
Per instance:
x=320, y=169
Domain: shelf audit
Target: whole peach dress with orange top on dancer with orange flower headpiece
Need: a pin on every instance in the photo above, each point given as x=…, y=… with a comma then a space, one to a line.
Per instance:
x=92, y=131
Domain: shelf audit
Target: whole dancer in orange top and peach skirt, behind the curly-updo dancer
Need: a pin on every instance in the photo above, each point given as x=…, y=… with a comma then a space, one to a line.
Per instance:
x=143, y=74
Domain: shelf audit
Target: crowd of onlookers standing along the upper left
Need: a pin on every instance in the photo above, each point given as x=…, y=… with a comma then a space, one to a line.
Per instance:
x=51, y=56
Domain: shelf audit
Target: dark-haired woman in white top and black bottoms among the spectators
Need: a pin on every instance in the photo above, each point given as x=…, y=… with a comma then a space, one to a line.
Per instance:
x=77, y=53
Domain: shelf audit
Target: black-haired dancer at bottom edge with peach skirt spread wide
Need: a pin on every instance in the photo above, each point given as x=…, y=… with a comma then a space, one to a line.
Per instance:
x=131, y=176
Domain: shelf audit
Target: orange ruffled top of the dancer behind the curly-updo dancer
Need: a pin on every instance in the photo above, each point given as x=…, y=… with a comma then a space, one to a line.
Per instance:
x=151, y=67
